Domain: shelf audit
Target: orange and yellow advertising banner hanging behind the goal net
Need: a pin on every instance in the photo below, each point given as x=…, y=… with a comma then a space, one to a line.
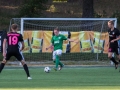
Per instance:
x=88, y=41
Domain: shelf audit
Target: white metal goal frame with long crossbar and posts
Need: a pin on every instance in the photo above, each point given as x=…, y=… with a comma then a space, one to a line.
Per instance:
x=62, y=19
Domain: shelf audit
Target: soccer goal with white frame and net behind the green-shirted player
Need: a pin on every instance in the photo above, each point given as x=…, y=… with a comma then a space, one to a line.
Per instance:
x=91, y=34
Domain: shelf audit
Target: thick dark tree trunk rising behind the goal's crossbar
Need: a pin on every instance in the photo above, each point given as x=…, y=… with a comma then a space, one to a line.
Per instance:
x=88, y=10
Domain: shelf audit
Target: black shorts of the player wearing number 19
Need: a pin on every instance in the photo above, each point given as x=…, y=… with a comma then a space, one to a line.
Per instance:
x=16, y=54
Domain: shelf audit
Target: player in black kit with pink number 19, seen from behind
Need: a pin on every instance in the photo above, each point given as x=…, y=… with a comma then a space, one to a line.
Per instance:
x=12, y=42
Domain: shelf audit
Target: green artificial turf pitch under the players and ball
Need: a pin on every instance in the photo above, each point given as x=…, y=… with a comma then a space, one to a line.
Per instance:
x=69, y=78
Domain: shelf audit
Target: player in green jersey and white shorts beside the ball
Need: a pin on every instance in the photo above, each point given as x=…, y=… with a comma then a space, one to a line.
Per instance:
x=57, y=43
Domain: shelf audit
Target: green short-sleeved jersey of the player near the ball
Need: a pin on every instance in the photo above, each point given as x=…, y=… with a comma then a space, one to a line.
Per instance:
x=57, y=41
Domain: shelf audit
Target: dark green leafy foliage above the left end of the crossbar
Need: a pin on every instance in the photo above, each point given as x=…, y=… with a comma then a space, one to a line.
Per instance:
x=32, y=8
